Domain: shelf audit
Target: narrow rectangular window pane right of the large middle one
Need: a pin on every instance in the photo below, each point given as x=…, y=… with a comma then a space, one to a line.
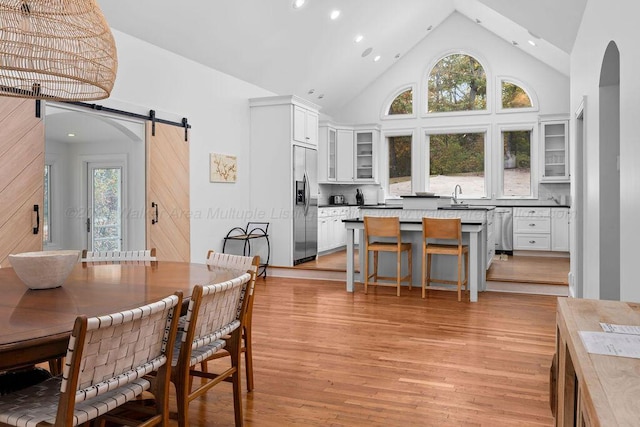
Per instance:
x=516, y=176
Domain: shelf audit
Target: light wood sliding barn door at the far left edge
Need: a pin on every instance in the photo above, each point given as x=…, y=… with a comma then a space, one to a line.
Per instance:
x=21, y=177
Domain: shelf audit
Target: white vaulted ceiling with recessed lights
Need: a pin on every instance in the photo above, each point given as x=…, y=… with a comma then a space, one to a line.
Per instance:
x=294, y=51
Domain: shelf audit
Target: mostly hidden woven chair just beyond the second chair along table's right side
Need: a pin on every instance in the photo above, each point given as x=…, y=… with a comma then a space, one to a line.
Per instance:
x=251, y=265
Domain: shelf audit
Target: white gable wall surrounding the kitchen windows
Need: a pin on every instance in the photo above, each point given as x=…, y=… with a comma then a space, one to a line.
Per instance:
x=500, y=59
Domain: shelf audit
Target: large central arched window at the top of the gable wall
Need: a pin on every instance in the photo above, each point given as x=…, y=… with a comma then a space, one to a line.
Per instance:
x=457, y=83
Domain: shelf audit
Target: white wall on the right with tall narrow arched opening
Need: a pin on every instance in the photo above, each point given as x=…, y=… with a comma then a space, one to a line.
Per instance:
x=602, y=22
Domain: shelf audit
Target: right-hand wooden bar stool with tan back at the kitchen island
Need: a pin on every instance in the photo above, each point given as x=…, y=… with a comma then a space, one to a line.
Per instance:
x=447, y=229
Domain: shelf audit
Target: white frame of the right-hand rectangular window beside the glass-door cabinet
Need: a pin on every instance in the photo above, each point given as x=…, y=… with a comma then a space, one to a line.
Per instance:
x=525, y=126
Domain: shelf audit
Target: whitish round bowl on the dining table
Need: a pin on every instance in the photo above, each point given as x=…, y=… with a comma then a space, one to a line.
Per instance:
x=44, y=269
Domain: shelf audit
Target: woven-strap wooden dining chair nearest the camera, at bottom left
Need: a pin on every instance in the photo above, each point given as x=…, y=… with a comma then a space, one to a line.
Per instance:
x=108, y=360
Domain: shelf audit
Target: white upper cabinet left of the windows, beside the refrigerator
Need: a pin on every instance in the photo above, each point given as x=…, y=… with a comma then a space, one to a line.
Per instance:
x=347, y=154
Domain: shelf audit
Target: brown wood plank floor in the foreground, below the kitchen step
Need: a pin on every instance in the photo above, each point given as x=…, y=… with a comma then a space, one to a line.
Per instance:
x=325, y=357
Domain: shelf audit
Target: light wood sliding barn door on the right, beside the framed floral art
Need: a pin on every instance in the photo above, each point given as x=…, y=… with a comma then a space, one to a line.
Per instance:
x=168, y=223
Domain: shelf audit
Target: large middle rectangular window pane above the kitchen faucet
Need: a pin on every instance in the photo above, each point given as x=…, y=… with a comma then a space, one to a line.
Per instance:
x=457, y=158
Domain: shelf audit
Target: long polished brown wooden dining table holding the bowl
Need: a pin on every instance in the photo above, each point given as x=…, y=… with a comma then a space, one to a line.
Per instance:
x=35, y=325
